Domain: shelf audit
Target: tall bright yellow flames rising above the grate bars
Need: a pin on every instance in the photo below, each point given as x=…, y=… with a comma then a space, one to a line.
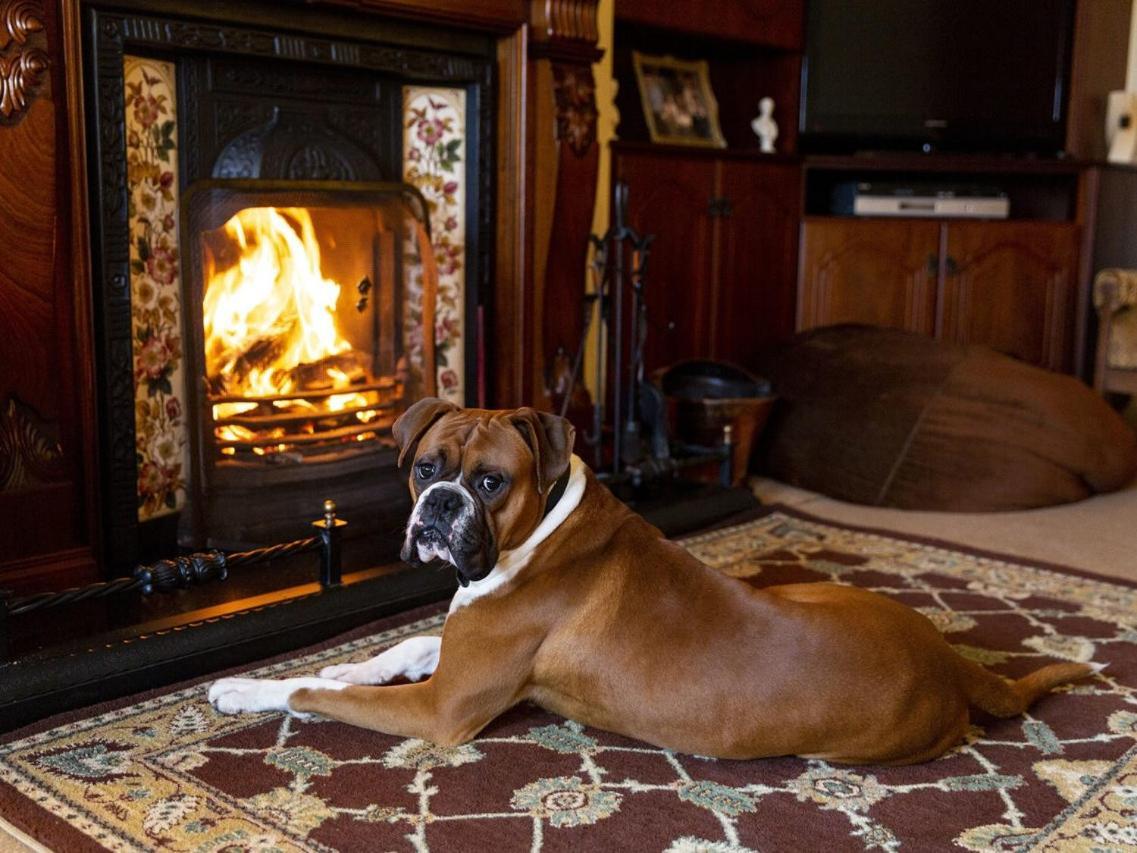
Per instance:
x=273, y=311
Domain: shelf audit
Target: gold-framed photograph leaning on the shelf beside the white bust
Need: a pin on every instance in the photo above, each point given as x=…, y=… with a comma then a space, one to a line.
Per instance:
x=678, y=103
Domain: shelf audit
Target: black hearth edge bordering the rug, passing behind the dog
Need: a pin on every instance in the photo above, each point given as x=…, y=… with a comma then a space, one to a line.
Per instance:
x=192, y=644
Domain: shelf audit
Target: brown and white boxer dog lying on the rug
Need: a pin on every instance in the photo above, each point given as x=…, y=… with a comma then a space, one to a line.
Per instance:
x=570, y=600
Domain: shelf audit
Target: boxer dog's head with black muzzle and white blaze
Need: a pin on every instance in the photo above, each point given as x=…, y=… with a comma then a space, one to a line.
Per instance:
x=479, y=479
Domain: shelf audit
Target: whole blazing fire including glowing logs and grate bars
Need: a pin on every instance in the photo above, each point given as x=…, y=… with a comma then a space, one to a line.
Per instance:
x=273, y=349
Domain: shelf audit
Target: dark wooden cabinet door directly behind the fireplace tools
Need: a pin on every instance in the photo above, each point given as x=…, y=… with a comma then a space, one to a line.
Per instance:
x=669, y=197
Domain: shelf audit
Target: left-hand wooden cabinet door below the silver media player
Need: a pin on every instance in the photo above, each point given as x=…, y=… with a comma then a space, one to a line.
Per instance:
x=877, y=272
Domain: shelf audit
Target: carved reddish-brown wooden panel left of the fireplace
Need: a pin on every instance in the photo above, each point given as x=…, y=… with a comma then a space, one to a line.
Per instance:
x=45, y=446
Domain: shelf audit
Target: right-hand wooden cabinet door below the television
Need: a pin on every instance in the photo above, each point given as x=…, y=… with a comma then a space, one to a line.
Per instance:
x=1009, y=285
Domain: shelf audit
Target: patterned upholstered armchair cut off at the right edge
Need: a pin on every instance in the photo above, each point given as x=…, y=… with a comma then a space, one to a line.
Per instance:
x=1116, y=301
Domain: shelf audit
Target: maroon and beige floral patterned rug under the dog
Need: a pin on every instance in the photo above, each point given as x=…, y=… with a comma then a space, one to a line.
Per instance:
x=167, y=773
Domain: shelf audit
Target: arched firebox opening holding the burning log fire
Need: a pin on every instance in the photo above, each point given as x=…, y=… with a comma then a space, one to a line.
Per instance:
x=306, y=353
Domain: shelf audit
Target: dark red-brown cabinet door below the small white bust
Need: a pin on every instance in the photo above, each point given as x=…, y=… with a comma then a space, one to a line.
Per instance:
x=757, y=260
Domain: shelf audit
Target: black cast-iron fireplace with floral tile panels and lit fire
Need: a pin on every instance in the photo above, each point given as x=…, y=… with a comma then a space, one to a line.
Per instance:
x=291, y=233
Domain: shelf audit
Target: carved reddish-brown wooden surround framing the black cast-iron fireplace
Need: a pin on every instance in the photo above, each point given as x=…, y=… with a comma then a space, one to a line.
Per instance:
x=49, y=442
